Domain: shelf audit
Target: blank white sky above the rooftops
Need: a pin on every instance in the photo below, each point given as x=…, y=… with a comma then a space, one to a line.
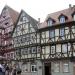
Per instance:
x=37, y=8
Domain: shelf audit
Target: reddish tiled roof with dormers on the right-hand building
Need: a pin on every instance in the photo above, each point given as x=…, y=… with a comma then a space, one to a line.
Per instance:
x=67, y=12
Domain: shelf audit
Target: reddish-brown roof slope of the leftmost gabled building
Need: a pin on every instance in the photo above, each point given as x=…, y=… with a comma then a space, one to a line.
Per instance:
x=13, y=14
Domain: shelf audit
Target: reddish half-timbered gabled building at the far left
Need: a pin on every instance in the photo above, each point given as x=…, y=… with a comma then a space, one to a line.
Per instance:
x=8, y=19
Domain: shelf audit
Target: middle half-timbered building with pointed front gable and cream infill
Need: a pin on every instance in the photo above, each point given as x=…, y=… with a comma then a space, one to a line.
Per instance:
x=26, y=44
